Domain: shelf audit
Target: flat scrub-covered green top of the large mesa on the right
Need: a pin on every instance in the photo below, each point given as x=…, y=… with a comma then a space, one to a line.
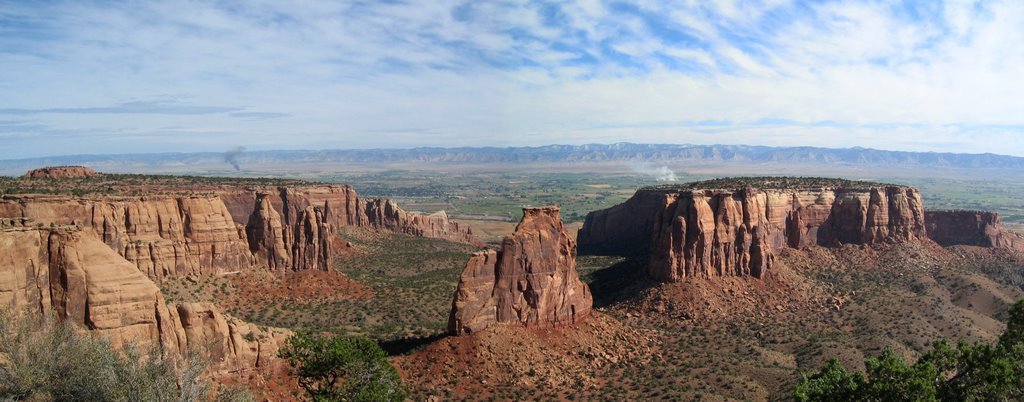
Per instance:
x=784, y=184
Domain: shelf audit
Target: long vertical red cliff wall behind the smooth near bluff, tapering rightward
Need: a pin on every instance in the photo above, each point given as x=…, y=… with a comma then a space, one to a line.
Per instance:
x=284, y=229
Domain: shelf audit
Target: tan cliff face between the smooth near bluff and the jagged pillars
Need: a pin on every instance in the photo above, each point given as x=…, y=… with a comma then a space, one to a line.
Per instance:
x=161, y=236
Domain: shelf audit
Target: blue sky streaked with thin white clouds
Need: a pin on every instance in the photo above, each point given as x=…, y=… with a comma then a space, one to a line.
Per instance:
x=105, y=77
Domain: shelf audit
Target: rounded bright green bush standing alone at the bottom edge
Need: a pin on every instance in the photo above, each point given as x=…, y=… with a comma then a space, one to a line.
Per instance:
x=339, y=369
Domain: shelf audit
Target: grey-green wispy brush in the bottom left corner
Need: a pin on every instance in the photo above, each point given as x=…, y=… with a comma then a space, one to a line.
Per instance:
x=42, y=361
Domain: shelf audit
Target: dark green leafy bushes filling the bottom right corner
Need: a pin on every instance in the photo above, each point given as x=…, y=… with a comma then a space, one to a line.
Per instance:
x=964, y=373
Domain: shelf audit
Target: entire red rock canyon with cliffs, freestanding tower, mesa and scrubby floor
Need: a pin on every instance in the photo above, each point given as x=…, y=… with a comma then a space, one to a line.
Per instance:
x=748, y=271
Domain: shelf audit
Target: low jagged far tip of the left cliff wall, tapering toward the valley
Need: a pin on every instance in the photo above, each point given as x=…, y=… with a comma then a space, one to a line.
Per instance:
x=385, y=214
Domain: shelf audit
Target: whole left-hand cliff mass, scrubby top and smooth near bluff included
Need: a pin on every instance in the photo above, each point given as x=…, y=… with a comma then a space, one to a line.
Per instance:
x=96, y=253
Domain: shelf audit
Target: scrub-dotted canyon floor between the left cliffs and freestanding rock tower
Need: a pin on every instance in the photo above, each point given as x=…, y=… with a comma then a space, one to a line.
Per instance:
x=396, y=287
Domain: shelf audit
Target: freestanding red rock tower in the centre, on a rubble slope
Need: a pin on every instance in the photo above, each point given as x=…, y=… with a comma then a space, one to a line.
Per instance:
x=532, y=282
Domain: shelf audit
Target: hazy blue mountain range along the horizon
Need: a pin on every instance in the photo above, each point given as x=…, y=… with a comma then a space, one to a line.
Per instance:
x=629, y=153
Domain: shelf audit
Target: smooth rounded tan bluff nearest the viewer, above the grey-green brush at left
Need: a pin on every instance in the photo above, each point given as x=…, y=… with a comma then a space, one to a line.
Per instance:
x=71, y=274
